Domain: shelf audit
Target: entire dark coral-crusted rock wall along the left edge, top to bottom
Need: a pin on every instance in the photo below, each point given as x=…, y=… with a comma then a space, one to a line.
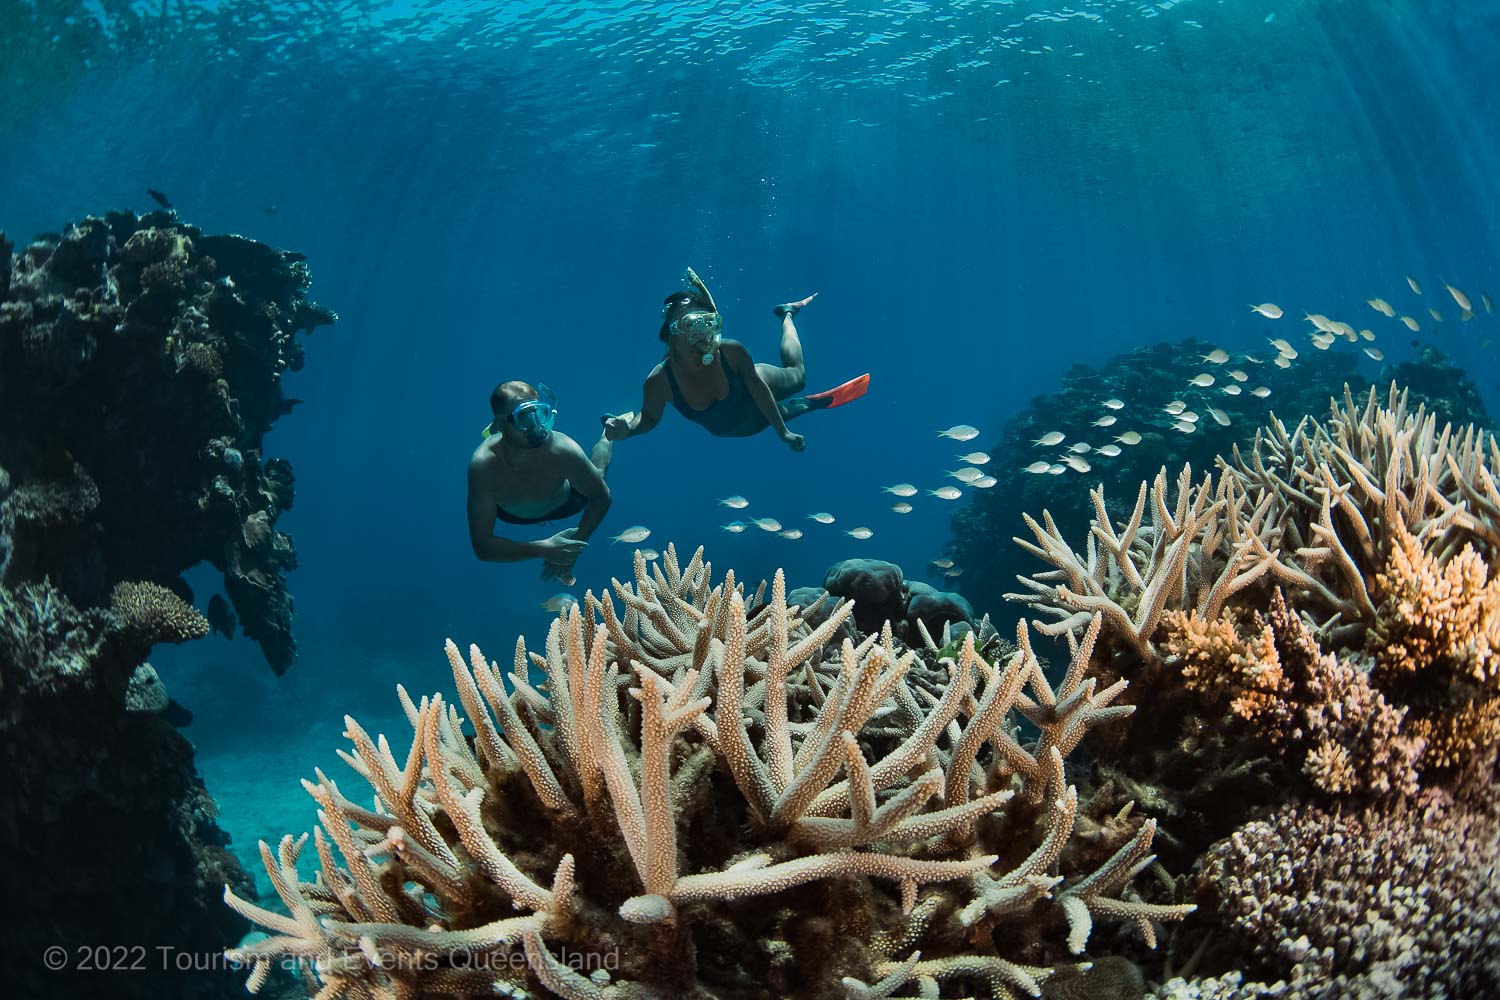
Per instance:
x=140, y=368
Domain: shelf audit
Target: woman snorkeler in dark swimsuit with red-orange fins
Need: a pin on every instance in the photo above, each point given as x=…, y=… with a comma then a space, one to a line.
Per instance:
x=718, y=385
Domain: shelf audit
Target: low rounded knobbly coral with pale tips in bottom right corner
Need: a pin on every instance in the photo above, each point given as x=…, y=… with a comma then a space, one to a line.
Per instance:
x=1402, y=902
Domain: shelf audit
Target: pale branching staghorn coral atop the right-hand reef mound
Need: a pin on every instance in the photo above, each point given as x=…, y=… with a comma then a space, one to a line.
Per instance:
x=1313, y=510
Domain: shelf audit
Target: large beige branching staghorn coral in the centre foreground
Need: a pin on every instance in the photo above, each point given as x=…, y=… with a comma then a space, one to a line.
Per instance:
x=725, y=804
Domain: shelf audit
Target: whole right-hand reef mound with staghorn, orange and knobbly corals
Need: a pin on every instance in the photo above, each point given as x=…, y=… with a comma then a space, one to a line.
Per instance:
x=1310, y=633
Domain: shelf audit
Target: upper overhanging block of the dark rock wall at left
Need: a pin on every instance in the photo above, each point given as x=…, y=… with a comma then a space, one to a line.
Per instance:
x=140, y=370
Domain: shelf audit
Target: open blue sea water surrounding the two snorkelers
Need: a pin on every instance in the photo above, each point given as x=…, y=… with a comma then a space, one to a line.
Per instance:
x=982, y=193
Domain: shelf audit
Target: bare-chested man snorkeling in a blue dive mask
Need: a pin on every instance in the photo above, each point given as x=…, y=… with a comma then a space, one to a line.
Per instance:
x=526, y=473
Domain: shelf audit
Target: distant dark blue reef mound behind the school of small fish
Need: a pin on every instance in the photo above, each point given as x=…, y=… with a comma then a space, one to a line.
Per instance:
x=1145, y=380
